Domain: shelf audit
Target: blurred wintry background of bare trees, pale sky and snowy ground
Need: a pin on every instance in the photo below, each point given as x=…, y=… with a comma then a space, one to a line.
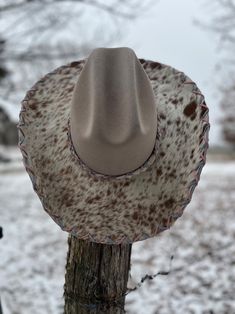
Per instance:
x=196, y=37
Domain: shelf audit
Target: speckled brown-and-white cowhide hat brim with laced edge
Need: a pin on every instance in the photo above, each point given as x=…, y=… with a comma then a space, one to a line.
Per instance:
x=109, y=209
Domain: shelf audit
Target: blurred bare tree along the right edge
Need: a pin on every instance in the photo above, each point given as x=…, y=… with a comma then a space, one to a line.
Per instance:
x=222, y=23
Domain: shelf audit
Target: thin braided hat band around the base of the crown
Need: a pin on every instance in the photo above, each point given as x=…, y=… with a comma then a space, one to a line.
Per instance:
x=142, y=168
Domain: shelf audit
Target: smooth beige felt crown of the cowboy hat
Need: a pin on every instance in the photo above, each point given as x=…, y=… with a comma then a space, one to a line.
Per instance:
x=113, y=114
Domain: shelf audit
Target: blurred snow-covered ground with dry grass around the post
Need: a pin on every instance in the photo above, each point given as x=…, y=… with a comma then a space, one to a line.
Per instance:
x=202, y=271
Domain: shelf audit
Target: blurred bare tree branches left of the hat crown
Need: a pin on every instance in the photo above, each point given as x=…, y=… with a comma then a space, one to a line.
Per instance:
x=42, y=34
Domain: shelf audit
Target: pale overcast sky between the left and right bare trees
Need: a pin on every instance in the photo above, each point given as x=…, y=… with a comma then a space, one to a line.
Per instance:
x=167, y=34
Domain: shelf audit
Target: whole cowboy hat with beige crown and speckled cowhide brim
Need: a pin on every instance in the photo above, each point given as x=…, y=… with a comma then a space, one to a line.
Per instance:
x=114, y=145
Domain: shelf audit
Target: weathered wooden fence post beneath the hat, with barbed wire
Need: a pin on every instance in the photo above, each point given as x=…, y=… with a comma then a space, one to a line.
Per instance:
x=96, y=277
